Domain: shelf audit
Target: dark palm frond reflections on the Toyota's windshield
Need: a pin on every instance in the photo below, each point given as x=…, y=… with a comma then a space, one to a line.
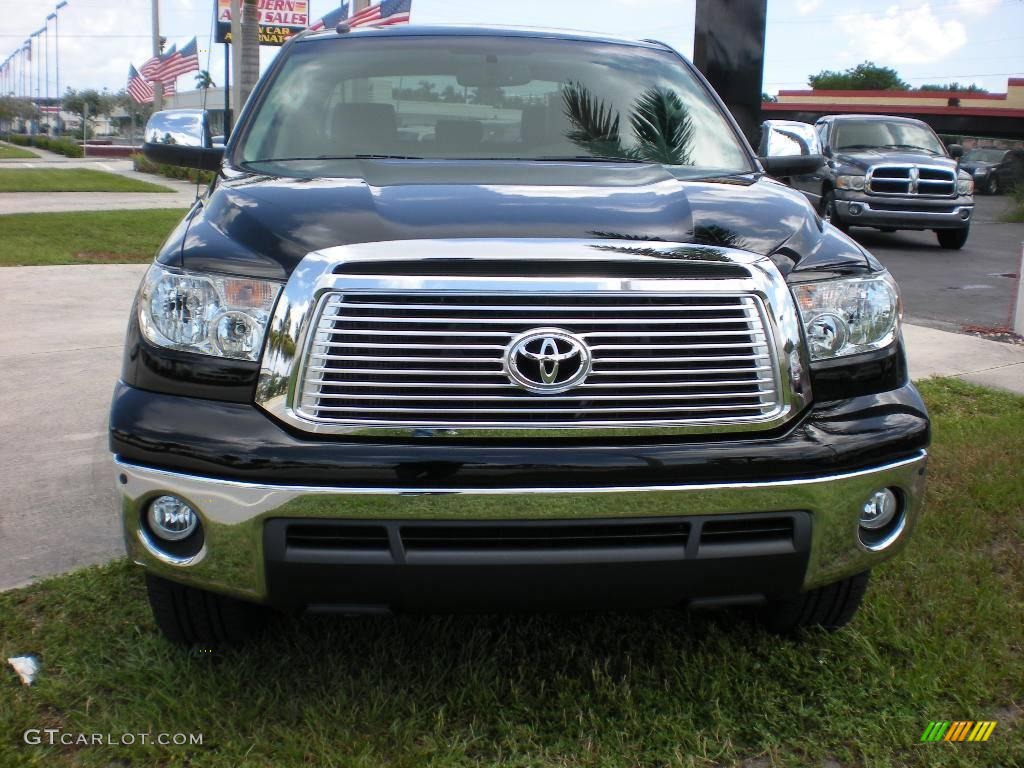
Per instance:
x=660, y=122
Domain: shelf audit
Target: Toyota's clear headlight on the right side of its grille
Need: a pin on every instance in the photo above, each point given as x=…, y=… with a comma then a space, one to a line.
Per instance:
x=849, y=316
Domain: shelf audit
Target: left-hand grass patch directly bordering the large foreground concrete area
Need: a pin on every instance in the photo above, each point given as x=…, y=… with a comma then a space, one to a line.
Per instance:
x=88, y=238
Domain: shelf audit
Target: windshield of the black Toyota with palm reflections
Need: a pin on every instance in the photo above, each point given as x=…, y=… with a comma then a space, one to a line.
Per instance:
x=465, y=98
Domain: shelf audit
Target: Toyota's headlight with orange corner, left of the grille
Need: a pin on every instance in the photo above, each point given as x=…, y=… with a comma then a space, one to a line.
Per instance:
x=206, y=314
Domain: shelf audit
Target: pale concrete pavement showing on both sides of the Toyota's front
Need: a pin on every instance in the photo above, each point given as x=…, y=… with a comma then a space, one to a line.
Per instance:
x=60, y=370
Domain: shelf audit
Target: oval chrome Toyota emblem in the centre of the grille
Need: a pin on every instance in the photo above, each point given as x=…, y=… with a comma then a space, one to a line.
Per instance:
x=547, y=361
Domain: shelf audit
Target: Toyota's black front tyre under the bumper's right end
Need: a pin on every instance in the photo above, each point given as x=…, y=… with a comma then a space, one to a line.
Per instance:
x=831, y=607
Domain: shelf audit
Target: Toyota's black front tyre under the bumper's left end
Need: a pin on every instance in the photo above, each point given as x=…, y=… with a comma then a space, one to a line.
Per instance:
x=192, y=617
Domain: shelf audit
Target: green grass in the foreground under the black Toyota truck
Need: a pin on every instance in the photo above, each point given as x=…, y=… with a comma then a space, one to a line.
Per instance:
x=941, y=638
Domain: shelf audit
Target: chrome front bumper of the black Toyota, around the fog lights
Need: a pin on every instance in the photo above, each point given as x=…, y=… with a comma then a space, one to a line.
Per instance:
x=234, y=515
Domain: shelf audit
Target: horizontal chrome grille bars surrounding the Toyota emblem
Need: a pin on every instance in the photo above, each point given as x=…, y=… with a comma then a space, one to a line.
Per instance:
x=436, y=361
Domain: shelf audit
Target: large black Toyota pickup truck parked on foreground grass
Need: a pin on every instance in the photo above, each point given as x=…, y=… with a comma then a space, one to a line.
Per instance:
x=483, y=319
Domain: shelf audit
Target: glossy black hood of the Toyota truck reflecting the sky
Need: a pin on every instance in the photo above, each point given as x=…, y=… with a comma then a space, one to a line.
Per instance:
x=265, y=226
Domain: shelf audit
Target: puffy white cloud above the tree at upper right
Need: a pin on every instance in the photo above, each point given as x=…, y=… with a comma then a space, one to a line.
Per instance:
x=903, y=36
